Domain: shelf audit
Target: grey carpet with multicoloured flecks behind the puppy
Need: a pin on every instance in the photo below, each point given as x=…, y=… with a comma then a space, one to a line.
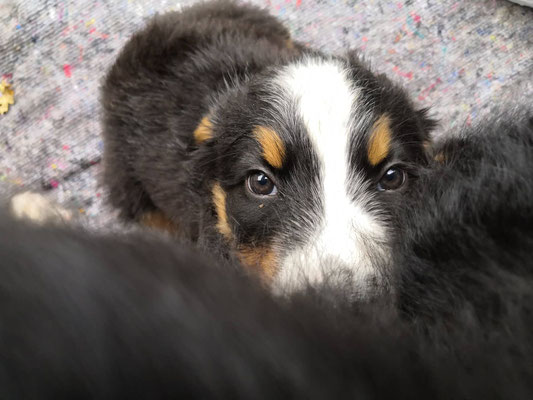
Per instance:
x=462, y=58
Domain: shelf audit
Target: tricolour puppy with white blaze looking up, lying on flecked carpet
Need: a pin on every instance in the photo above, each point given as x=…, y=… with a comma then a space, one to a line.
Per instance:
x=220, y=128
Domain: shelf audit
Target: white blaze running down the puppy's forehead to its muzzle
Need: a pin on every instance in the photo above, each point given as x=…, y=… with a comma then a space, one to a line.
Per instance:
x=347, y=235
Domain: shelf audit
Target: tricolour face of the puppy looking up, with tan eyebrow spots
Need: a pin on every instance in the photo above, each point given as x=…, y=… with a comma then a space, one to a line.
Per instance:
x=309, y=161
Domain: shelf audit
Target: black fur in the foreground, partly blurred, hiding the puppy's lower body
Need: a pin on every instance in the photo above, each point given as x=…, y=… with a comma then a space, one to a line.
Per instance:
x=131, y=317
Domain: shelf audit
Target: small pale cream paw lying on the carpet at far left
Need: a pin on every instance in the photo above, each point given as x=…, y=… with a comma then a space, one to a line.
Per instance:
x=36, y=207
